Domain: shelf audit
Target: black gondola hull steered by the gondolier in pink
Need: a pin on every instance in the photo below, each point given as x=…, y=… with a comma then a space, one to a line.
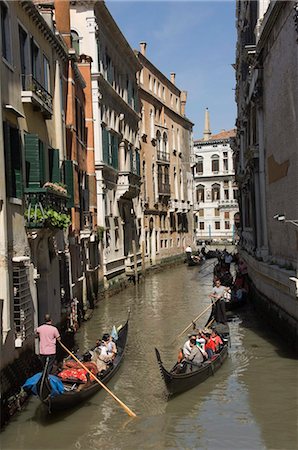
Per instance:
x=76, y=393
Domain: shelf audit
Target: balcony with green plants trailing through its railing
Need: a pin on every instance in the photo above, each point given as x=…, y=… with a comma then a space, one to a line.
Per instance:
x=46, y=208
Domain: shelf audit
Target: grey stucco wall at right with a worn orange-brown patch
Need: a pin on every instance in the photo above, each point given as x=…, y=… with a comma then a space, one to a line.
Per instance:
x=281, y=134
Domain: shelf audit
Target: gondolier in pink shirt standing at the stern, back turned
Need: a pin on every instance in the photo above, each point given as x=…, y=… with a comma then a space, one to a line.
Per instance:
x=48, y=335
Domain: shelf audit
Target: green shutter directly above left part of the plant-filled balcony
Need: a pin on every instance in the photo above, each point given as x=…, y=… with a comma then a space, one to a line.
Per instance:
x=32, y=158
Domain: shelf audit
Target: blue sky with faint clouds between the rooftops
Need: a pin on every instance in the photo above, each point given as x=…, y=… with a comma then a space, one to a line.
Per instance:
x=194, y=39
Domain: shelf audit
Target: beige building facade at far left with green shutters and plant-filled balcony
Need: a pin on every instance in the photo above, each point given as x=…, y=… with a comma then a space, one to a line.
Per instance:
x=34, y=212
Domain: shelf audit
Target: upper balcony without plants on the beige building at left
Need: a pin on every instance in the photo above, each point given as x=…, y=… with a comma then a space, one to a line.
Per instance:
x=33, y=92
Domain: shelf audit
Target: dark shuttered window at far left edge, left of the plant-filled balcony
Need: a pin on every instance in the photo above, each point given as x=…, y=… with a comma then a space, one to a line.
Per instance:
x=13, y=161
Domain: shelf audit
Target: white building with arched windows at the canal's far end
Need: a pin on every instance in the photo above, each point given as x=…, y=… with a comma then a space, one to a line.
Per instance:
x=215, y=191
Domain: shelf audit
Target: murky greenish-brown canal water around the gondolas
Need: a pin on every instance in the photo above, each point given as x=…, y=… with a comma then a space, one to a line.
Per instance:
x=251, y=403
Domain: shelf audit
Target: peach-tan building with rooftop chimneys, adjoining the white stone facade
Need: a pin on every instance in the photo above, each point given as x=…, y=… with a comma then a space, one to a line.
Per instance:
x=166, y=146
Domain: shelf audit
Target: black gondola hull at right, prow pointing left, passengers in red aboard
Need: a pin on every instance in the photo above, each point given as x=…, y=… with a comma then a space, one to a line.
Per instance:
x=176, y=383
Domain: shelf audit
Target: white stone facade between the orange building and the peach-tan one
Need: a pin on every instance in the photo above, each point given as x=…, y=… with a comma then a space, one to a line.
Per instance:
x=116, y=139
